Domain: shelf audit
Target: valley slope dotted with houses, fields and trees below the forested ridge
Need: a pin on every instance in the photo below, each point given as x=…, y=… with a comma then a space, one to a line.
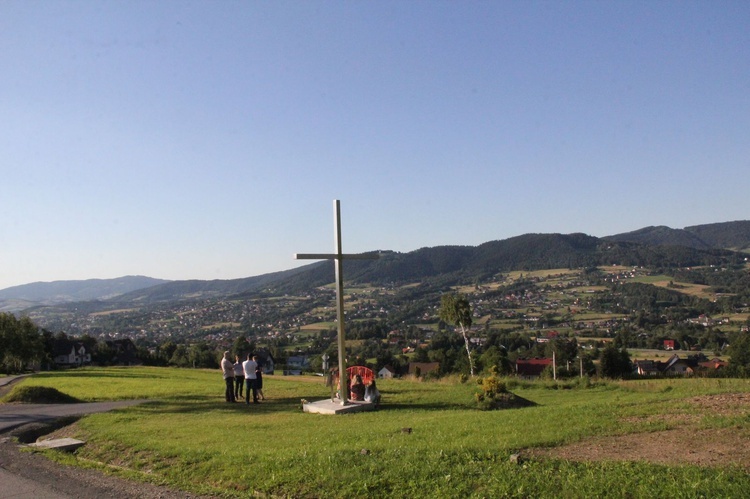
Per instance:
x=292, y=332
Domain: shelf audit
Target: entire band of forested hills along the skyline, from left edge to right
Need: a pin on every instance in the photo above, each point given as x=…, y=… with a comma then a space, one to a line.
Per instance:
x=656, y=247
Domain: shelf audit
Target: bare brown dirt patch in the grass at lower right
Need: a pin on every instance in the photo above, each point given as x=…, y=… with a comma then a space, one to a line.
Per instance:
x=686, y=444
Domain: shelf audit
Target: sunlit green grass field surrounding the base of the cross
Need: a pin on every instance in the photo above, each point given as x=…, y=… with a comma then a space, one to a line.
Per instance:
x=189, y=438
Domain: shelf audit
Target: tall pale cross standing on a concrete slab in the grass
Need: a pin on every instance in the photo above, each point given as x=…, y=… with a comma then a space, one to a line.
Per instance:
x=338, y=258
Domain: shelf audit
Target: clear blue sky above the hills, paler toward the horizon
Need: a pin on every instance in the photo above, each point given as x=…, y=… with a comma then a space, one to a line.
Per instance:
x=208, y=140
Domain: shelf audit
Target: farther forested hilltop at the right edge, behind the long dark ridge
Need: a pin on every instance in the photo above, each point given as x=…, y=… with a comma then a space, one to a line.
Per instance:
x=725, y=235
